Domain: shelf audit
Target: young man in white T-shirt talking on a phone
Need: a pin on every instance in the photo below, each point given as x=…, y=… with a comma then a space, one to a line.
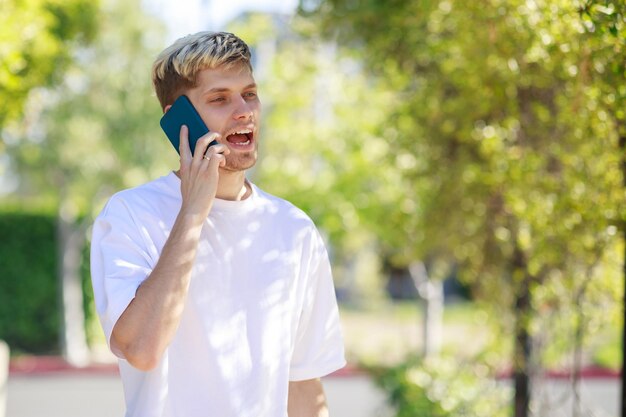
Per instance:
x=216, y=296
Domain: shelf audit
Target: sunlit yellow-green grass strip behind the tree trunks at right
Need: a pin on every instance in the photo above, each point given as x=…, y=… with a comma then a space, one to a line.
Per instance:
x=386, y=333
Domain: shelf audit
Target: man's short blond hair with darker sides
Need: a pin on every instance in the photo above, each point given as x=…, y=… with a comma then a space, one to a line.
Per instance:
x=177, y=67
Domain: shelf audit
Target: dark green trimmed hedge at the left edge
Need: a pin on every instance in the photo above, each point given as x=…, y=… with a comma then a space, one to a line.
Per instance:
x=29, y=309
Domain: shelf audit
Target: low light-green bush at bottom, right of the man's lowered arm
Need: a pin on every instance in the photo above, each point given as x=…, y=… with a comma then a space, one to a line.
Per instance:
x=442, y=388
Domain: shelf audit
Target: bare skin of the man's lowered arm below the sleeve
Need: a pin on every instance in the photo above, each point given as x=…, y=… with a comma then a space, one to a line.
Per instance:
x=307, y=399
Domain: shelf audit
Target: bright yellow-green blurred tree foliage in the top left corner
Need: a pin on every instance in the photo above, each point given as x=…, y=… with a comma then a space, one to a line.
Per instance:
x=37, y=38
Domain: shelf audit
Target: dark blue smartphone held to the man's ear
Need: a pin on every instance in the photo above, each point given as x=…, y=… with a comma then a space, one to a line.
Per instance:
x=182, y=113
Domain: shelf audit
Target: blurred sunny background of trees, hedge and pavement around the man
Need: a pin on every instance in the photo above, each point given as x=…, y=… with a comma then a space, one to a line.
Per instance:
x=464, y=160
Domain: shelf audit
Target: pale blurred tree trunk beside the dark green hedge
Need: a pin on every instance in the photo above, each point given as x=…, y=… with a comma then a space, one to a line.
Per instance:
x=70, y=243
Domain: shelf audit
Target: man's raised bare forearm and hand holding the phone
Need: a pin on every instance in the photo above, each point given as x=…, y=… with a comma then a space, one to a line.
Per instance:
x=147, y=326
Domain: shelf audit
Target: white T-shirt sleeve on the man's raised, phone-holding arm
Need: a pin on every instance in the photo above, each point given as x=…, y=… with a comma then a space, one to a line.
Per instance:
x=119, y=263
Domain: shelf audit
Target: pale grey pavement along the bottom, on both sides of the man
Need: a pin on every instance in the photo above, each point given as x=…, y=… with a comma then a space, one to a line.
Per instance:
x=98, y=393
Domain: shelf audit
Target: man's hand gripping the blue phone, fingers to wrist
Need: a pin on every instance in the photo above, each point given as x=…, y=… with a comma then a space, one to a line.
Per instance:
x=199, y=173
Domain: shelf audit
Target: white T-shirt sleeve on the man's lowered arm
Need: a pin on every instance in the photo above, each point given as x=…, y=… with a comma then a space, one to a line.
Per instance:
x=319, y=347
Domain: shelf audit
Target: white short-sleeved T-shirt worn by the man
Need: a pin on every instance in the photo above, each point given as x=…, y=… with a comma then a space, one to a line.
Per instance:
x=261, y=309
